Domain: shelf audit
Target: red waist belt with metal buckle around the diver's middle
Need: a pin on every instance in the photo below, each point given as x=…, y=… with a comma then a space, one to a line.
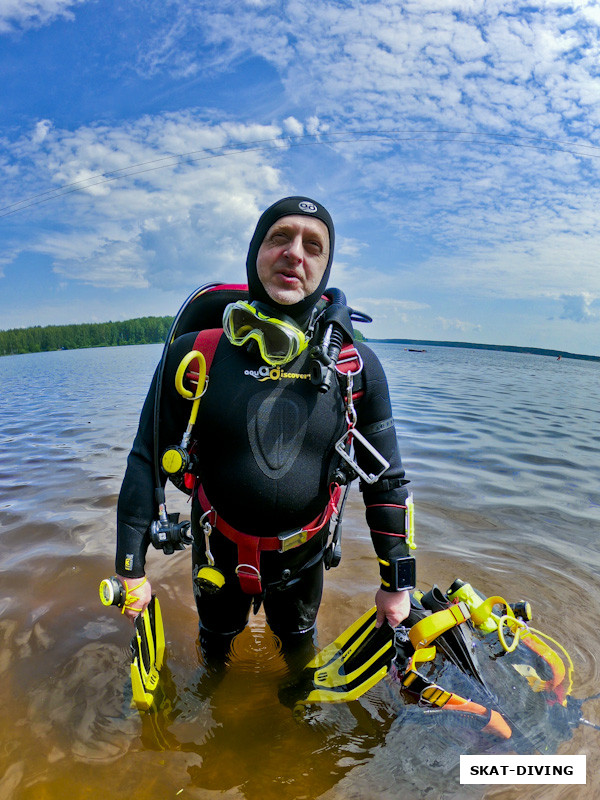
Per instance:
x=250, y=547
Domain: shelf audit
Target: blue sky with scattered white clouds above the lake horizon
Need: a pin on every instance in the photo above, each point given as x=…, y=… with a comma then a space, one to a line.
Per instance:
x=455, y=143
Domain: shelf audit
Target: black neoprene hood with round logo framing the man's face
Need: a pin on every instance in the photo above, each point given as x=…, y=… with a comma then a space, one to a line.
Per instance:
x=283, y=208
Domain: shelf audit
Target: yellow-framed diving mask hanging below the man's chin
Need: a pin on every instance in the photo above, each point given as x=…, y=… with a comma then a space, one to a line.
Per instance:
x=278, y=341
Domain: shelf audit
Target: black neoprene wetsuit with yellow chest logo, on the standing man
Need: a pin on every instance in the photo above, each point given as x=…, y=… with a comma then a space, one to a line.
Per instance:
x=266, y=439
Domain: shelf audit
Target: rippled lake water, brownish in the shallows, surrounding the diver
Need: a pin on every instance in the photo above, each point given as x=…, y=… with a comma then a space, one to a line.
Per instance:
x=503, y=451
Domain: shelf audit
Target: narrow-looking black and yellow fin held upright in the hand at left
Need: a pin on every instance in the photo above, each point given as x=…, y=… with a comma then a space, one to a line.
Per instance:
x=147, y=654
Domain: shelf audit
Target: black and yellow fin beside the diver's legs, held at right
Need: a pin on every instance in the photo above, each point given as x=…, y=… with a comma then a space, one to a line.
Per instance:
x=344, y=670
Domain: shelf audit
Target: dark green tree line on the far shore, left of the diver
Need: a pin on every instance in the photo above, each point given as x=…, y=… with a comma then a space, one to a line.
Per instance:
x=144, y=330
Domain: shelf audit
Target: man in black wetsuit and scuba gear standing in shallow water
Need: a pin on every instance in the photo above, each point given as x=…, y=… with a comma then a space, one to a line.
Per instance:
x=285, y=423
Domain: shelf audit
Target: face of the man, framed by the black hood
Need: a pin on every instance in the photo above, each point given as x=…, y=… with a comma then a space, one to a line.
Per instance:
x=292, y=258
